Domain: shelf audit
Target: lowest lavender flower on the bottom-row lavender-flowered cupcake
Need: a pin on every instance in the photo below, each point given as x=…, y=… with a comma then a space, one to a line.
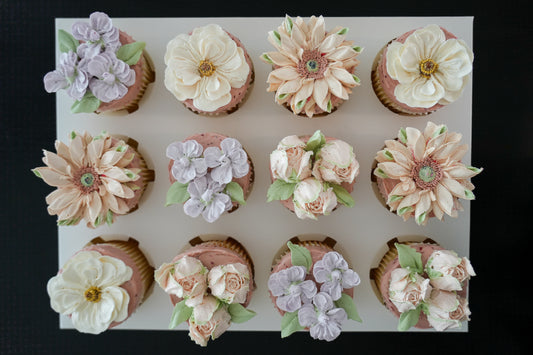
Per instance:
x=322, y=318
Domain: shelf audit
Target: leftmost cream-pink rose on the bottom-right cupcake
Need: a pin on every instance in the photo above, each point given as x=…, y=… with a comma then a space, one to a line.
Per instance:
x=407, y=290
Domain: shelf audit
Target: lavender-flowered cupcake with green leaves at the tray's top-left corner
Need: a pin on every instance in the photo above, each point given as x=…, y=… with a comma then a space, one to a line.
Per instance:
x=102, y=68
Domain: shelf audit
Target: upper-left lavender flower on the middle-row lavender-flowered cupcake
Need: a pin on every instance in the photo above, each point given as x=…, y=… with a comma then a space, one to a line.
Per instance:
x=188, y=163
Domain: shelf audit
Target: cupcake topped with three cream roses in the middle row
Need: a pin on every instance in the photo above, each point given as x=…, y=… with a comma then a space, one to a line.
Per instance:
x=312, y=175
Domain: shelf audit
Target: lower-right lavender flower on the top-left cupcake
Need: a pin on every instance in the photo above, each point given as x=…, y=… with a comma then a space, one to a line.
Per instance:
x=110, y=77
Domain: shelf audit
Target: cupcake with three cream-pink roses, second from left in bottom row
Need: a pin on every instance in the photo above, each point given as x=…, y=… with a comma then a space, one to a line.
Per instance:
x=210, y=285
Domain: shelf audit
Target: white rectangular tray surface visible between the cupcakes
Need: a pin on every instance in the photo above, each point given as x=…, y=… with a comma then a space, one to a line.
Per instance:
x=259, y=125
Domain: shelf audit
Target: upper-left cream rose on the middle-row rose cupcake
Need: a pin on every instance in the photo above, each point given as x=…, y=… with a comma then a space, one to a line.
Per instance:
x=290, y=162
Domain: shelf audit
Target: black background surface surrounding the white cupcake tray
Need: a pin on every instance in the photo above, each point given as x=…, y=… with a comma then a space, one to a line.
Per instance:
x=500, y=232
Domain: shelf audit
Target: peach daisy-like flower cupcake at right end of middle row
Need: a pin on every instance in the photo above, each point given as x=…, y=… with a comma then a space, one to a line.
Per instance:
x=420, y=174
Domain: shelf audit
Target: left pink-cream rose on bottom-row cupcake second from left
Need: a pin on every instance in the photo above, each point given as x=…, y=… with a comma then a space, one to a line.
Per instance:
x=186, y=278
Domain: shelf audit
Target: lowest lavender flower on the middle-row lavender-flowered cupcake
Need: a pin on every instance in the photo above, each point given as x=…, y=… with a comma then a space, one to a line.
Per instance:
x=206, y=199
